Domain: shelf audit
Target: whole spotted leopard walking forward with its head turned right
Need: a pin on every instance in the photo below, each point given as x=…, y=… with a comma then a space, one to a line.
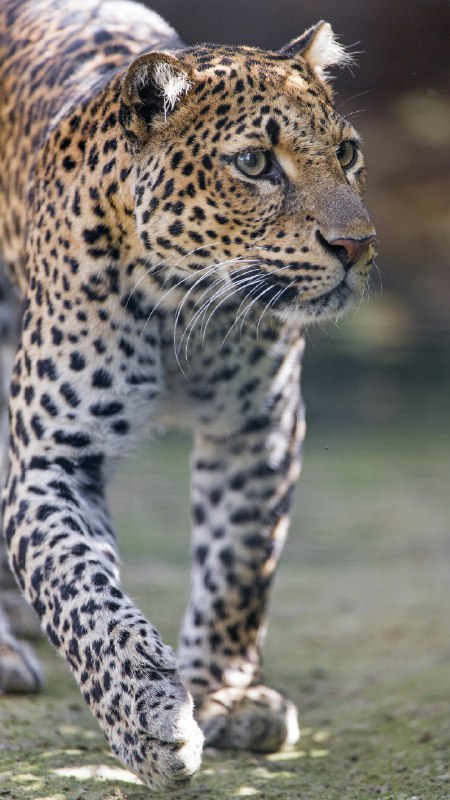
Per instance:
x=173, y=218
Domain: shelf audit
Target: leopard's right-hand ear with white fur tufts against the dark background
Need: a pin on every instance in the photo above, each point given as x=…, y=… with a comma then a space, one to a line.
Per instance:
x=320, y=49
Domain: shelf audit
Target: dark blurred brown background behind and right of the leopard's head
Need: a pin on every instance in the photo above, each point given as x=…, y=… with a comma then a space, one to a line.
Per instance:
x=389, y=361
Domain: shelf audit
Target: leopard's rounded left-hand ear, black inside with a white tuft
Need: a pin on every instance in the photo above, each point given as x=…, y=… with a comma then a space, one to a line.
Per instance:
x=153, y=85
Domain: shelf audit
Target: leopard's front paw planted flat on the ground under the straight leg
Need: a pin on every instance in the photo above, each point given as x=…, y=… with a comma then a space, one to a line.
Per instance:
x=256, y=718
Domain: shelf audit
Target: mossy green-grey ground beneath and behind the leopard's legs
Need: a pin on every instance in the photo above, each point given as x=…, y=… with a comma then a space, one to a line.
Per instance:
x=358, y=635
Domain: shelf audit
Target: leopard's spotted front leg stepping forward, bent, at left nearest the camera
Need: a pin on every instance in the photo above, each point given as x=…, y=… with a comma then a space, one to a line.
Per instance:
x=62, y=551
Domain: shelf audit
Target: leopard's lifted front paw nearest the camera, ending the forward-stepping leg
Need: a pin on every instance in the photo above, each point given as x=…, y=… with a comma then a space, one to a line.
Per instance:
x=143, y=708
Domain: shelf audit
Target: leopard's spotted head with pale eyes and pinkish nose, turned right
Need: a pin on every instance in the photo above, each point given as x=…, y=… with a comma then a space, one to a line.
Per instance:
x=251, y=181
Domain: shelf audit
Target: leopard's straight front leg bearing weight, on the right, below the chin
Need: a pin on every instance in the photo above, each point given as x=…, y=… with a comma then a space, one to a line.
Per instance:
x=242, y=481
